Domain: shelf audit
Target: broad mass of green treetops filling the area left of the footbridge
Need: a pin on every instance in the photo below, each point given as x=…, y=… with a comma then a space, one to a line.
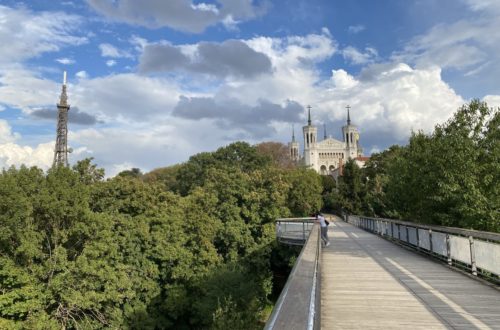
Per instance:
x=192, y=246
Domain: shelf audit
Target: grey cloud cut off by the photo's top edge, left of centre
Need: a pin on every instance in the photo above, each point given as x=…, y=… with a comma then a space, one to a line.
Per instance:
x=183, y=15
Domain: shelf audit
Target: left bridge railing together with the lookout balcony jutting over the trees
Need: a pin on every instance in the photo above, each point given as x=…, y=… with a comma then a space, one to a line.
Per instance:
x=299, y=304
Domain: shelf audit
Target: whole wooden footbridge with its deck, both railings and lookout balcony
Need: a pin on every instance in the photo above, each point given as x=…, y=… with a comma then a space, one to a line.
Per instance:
x=387, y=274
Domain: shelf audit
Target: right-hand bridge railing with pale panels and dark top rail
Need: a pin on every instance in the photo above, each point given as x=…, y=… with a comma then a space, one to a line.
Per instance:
x=477, y=252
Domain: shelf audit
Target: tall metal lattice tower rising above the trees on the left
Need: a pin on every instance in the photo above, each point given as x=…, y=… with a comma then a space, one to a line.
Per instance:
x=61, y=150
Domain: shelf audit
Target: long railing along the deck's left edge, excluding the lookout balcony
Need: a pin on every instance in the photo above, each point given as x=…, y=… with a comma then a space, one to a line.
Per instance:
x=298, y=305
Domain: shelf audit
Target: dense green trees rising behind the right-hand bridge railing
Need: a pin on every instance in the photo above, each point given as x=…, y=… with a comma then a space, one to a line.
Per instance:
x=450, y=177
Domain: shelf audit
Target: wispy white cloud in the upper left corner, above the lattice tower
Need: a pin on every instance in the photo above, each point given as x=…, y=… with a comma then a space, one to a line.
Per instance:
x=29, y=34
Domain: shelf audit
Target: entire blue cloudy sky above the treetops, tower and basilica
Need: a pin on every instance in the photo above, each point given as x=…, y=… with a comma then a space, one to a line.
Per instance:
x=152, y=82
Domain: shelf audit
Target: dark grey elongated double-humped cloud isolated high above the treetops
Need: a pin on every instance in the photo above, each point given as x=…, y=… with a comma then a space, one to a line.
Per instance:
x=229, y=58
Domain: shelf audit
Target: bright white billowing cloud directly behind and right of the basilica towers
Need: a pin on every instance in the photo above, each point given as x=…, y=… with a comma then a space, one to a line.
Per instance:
x=392, y=99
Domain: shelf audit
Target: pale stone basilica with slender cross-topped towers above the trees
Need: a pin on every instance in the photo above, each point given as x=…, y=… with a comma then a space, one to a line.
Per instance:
x=328, y=155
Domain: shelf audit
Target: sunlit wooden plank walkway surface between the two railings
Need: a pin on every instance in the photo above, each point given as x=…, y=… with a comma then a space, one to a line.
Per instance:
x=370, y=283
